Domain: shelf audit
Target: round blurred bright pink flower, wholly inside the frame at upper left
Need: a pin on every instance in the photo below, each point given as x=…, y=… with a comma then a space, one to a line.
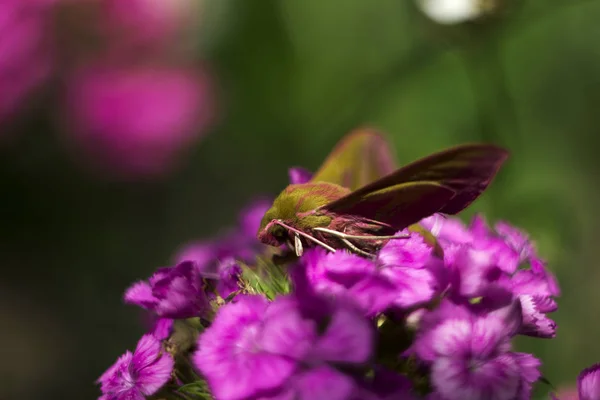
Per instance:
x=136, y=121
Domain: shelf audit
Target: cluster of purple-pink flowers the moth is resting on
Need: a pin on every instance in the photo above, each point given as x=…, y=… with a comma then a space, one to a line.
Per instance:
x=430, y=316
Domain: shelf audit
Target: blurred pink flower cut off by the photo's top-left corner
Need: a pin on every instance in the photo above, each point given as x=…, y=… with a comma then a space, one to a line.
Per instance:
x=25, y=55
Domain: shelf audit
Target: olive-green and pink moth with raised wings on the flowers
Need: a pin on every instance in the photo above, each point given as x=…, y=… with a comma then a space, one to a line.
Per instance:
x=337, y=209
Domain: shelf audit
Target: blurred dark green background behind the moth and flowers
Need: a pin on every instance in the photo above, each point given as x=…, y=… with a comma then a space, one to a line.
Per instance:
x=293, y=77
